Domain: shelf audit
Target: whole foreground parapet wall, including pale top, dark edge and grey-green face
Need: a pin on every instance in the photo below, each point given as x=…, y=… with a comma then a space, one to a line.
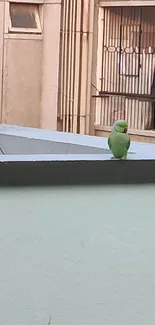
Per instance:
x=80, y=250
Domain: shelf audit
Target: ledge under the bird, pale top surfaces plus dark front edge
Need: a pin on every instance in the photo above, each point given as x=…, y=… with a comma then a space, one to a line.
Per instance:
x=31, y=156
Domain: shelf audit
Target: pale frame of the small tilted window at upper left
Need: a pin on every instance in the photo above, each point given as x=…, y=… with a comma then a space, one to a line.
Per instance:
x=19, y=30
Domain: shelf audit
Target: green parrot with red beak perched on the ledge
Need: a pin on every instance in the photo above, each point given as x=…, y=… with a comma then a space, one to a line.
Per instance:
x=119, y=140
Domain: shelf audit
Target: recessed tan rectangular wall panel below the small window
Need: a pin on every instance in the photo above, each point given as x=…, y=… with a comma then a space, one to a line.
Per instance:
x=23, y=82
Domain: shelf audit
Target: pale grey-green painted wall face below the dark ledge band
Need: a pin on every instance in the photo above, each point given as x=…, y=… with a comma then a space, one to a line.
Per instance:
x=82, y=255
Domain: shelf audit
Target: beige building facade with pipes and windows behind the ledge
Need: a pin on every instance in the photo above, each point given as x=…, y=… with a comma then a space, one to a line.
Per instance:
x=77, y=66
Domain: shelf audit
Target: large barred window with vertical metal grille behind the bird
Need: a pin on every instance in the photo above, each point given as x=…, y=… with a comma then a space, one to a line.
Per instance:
x=128, y=66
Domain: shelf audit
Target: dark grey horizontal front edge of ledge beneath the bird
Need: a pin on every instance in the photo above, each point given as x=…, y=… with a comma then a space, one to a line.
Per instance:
x=77, y=172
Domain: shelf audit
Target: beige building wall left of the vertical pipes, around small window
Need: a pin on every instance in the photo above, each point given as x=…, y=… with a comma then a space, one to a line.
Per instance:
x=29, y=62
